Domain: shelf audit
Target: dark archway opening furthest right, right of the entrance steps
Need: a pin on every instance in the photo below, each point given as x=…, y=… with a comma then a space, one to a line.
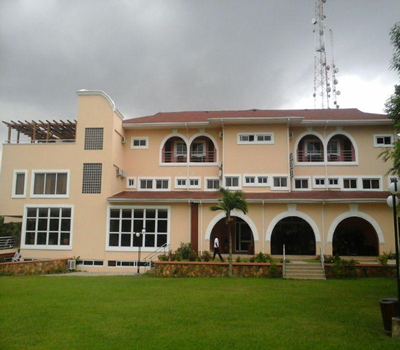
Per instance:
x=355, y=236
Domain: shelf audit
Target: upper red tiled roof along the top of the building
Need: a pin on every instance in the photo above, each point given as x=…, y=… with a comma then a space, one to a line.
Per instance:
x=307, y=114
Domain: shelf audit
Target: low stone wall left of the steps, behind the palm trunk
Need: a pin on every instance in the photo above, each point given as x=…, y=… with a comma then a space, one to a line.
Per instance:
x=212, y=269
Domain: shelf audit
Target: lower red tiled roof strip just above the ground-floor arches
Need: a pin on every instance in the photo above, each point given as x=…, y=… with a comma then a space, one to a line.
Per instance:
x=300, y=195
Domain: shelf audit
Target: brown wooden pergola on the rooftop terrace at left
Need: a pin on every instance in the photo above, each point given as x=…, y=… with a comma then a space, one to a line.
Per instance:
x=55, y=131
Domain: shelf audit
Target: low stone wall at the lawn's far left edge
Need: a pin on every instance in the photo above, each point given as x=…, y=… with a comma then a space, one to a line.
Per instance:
x=36, y=267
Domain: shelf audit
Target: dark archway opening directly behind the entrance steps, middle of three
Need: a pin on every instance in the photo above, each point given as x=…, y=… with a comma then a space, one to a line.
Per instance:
x=296, y=234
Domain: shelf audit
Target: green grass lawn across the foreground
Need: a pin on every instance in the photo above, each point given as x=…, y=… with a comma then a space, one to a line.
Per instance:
x=124, y=312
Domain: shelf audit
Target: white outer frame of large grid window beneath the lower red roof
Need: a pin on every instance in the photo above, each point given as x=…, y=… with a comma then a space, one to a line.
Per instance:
x=135, y=249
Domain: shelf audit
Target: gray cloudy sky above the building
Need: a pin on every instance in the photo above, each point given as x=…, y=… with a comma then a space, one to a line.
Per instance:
x=170, y=55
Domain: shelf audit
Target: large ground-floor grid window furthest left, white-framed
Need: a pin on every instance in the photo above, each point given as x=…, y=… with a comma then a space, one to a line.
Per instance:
x=48, y=228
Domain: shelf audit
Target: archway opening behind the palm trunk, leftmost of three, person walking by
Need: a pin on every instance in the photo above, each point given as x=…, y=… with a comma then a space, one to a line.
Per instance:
x=242, y=236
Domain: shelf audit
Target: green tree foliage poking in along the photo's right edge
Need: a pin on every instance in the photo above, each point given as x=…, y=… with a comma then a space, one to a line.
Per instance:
x=392, y=105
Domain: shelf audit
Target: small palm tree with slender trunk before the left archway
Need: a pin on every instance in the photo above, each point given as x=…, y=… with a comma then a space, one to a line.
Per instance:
x=228, y=202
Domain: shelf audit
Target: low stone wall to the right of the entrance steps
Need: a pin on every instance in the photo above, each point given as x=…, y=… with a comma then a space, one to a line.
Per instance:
x=360, y=270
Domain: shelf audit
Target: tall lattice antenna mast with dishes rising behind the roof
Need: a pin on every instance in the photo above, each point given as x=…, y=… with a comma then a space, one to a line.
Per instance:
x=322, y=86
